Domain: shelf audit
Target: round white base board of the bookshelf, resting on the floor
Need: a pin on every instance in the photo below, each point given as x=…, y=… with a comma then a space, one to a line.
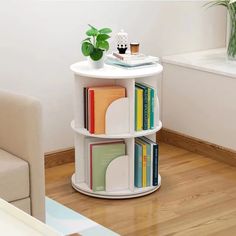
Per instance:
x=124, y=194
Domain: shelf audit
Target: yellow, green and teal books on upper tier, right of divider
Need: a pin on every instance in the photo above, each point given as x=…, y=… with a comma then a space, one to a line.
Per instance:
x=144, y=107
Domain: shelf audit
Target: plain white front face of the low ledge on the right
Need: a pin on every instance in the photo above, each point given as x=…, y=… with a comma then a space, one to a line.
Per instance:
x=200, y=104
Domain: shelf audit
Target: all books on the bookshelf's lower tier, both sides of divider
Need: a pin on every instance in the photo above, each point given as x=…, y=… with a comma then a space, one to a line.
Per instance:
x=100, y=153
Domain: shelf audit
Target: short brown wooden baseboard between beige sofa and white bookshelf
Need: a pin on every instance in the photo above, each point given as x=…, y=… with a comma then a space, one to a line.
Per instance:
x=59, y=157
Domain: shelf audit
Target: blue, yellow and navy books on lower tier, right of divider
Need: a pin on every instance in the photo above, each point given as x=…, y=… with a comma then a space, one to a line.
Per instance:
x=146, y=163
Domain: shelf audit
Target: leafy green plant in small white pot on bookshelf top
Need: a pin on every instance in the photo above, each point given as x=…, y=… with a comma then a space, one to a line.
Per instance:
x=95, y=45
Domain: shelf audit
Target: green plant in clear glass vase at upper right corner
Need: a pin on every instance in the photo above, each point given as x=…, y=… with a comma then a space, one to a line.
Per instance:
x=231, y=7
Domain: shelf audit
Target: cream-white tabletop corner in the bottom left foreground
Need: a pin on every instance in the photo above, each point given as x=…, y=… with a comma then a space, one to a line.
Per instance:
x=14, y=221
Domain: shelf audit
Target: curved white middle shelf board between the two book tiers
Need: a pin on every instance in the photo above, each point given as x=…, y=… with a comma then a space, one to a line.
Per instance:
x=126, y=135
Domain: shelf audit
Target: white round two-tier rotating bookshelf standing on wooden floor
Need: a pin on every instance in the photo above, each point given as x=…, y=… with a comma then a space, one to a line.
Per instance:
x=119, y=124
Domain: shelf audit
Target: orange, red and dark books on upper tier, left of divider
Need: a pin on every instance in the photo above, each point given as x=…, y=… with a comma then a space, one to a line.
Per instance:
x=96, y=102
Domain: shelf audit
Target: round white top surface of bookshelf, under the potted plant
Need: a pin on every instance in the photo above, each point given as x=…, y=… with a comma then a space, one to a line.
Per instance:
x=112, y=72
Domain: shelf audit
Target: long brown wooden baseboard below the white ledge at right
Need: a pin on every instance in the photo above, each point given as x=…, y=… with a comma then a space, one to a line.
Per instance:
x=198, y=146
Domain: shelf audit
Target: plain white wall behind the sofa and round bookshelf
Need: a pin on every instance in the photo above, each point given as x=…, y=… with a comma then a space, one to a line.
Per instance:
x=40, y=39
